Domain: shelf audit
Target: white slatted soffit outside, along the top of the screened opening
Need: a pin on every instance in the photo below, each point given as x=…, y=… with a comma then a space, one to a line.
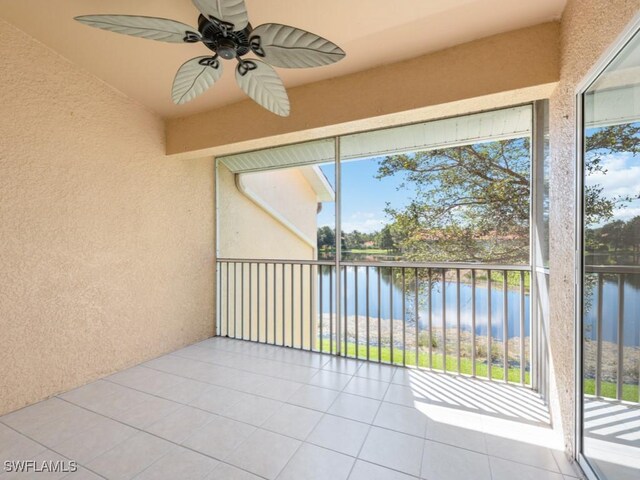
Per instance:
x=496, y=125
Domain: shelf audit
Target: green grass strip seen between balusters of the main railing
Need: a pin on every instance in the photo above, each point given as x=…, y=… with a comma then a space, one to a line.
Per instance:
x=497, y=372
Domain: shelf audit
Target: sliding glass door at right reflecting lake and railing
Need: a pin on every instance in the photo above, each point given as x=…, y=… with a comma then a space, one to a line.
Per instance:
x=610, y=327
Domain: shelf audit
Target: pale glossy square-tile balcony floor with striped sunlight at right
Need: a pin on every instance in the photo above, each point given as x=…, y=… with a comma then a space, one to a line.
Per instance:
x=227, y=409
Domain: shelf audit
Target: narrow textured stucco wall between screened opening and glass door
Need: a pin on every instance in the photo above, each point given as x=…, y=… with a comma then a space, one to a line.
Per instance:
x=587, y=29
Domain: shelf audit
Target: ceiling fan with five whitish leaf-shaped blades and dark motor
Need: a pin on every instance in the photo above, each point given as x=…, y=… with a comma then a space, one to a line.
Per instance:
x=223, y=27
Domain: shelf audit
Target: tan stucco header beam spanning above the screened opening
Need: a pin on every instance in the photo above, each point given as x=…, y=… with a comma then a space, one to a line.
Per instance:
x=507, y=62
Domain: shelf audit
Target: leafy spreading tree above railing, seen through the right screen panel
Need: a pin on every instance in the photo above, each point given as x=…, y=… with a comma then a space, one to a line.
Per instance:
x=471, y=202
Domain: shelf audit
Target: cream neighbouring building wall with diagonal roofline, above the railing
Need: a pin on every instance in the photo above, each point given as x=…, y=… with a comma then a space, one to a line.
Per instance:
x=247, y=231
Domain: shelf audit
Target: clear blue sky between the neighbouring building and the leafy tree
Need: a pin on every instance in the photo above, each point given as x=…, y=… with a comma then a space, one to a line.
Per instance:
x=364, y=197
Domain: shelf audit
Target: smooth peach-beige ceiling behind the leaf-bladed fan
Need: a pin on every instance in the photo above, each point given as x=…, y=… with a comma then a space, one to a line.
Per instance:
x=372, y=32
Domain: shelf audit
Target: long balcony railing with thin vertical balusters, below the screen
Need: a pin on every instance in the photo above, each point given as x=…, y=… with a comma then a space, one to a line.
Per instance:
x=459, y=318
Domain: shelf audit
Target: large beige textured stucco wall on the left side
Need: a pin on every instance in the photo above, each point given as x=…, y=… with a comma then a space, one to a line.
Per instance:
x=106, y=245
